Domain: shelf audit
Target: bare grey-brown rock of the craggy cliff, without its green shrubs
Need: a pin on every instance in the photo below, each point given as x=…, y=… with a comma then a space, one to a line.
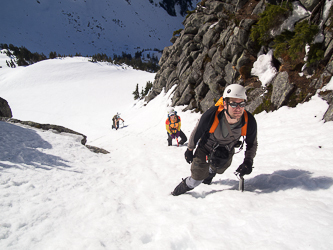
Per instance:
x=214, y=50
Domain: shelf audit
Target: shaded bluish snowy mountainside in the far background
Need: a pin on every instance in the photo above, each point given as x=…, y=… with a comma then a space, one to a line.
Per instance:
x=88, y=27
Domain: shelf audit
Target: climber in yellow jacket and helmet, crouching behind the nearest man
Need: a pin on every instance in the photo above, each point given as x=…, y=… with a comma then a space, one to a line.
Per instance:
x=173, y=125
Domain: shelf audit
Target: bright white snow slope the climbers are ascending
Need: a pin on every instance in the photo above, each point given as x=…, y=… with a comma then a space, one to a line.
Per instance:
x=57, y=194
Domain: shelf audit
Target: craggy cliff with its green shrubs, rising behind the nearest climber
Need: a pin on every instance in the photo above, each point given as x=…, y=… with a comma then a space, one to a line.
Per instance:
x=218, y=47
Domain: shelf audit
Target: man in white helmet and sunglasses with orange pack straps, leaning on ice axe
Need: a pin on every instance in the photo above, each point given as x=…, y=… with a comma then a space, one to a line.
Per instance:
x=215, y=138
